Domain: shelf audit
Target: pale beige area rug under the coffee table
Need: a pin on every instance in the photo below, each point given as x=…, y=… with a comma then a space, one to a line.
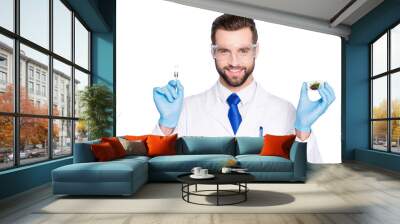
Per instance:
x=167, y=198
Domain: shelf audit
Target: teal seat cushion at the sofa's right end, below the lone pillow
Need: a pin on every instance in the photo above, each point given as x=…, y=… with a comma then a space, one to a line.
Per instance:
x=257, y=163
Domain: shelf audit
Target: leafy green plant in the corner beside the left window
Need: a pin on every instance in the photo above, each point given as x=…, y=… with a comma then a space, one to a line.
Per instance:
x=96, y=102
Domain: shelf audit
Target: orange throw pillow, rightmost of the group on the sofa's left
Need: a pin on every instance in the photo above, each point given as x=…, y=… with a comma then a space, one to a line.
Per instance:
x=161, y=145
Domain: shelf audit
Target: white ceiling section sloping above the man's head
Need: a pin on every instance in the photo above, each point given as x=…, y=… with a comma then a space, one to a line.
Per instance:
x=317, y=15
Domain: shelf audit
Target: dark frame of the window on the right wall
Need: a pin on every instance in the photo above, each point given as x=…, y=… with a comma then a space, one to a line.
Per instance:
x=388, y=74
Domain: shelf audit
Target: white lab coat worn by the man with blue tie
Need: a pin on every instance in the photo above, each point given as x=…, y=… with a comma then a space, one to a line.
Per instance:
x=206, y=114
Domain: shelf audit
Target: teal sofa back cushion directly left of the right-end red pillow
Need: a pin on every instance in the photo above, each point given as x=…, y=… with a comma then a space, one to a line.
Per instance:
x=249, y=145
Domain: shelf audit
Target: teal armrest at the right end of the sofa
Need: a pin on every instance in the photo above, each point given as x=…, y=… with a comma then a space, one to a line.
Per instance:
x=298, y=155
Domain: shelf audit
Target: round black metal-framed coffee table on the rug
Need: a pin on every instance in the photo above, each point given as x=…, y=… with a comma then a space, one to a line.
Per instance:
x=238, y=179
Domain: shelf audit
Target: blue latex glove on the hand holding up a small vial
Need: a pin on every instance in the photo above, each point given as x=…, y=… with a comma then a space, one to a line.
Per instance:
x=169, y=103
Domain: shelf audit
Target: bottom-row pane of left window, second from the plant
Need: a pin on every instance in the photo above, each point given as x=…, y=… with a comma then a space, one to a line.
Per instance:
x=62, y=133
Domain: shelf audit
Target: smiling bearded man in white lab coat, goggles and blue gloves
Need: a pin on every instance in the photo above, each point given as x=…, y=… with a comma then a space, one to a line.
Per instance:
x=236, y=105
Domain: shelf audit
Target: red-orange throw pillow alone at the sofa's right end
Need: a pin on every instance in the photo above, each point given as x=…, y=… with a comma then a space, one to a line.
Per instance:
x=275, y=145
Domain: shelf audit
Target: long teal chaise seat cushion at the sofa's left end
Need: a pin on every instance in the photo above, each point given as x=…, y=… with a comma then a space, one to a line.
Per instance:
x=112, y=171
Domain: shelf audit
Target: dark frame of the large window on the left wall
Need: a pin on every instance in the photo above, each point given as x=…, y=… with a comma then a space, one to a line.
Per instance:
x=15, y=72
